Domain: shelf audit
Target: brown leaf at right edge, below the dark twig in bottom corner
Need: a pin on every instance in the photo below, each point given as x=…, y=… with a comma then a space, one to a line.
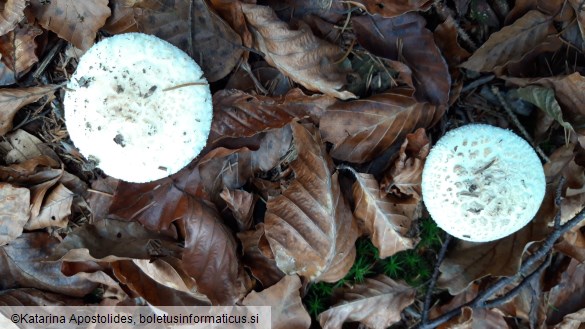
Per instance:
x=569, y=295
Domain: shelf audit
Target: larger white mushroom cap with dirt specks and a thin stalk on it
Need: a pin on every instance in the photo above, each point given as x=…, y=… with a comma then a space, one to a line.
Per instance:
x=132, y=107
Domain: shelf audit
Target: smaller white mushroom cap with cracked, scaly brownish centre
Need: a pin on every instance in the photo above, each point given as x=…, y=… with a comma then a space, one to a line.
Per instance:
x=481, y=183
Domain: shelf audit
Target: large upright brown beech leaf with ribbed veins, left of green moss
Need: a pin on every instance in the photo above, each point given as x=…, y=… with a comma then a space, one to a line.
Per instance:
x=310, y=227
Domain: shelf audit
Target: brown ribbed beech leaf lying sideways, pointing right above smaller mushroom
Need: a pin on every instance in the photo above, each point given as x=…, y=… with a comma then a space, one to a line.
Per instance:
x=363, y=129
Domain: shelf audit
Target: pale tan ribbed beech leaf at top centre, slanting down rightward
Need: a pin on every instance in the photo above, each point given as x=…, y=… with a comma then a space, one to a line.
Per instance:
x=301, y=56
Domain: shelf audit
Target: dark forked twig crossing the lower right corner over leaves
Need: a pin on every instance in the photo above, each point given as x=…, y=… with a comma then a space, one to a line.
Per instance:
x=481, y=300
